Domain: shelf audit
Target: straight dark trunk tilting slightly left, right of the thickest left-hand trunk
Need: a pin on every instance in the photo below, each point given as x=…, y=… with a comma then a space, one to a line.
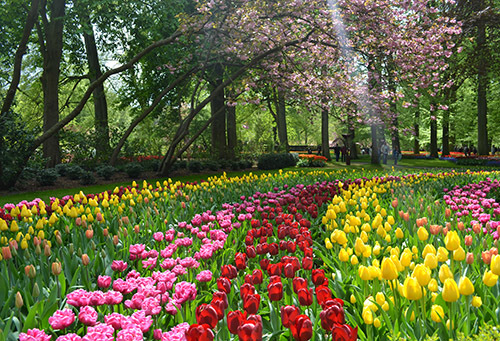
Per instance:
x=102, y=146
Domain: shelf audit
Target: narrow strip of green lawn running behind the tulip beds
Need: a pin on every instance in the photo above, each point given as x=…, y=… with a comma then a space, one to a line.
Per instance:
x=361, y=164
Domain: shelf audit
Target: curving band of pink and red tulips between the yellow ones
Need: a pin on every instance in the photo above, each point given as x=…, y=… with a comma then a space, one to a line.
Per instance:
x=246, y=272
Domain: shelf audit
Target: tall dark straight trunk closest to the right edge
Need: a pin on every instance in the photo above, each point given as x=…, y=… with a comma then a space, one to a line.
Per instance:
x=482, y=85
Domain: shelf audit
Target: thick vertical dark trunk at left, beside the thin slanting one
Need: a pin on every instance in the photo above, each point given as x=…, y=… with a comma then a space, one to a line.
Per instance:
x=52, y=52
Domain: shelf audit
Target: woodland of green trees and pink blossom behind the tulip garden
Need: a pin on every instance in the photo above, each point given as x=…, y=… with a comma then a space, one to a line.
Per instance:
x=135, y=78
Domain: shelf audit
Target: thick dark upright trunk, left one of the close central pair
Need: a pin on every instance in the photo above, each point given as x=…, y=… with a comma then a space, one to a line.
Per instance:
x=219, y=122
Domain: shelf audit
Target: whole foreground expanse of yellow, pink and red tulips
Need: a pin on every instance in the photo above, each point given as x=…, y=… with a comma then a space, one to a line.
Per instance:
x=282, y=256
